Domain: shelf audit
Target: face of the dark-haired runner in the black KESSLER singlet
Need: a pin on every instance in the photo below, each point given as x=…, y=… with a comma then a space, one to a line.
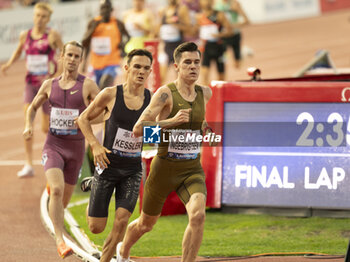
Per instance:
x=138, y=70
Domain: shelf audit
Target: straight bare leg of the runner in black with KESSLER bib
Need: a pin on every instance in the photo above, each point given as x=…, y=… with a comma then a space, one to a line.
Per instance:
x=116, y=235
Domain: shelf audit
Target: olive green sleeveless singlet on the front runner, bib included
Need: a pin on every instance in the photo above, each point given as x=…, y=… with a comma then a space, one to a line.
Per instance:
x=186, y=150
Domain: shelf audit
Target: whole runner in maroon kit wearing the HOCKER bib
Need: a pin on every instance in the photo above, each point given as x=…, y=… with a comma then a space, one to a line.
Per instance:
x=64, y=149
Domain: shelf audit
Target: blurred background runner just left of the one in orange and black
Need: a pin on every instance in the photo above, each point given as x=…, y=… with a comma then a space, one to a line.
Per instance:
x=175, y=21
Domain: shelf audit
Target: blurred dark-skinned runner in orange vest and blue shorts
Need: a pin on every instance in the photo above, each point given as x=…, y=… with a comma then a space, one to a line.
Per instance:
x=105, y=40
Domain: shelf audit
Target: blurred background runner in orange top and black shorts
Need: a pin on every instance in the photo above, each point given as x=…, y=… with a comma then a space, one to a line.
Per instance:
x=213, y=26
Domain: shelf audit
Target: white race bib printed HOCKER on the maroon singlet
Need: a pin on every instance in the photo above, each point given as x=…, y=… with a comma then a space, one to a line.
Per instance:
x=62, y=121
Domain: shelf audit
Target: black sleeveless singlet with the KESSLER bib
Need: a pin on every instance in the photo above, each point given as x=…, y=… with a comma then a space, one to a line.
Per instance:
x=126, y=149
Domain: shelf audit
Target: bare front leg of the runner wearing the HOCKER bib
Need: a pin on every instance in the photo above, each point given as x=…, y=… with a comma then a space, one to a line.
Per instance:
x=55, y=180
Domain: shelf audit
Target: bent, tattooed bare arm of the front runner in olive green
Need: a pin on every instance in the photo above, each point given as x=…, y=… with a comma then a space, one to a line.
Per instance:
x=160, y=100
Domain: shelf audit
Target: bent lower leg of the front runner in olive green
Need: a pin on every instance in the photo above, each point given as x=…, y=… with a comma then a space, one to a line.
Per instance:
x=135, y=231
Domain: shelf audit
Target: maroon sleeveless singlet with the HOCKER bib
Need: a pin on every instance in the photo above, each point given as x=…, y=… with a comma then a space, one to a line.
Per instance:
x=65, y=106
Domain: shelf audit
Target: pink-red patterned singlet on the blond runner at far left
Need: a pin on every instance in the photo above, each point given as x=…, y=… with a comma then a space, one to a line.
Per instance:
x=39, y=58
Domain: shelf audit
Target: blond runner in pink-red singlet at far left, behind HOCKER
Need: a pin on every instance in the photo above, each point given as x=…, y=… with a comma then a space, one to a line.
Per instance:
x=39, y=44
